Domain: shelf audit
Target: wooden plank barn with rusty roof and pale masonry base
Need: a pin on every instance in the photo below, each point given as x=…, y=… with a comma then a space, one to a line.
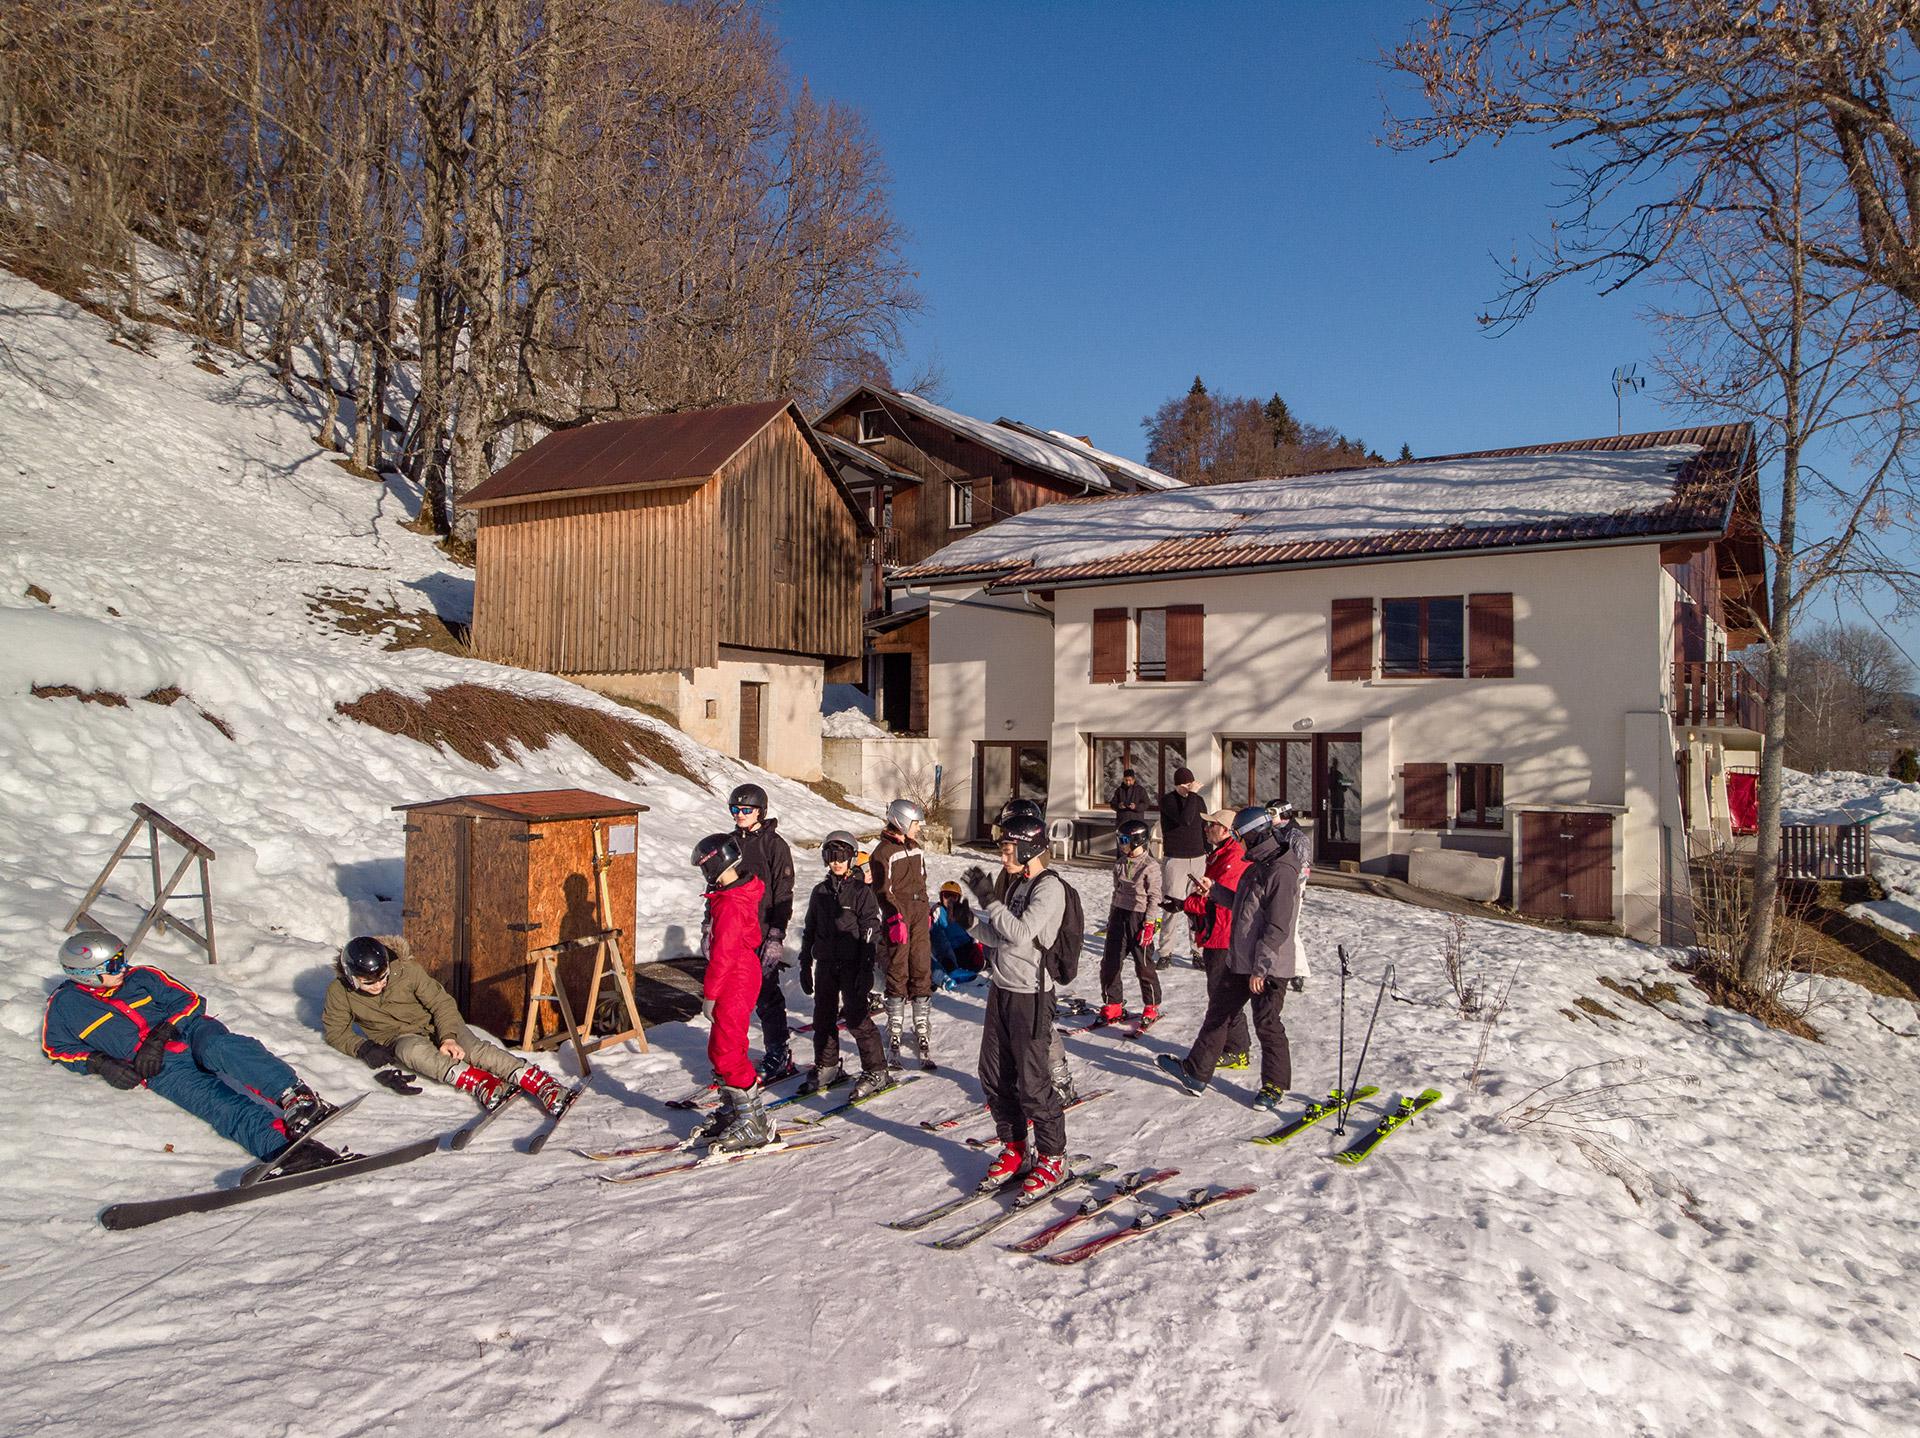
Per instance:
x=704, y=563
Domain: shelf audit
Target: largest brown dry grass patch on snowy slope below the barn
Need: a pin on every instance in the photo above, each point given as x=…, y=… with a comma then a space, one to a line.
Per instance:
x=485, y=727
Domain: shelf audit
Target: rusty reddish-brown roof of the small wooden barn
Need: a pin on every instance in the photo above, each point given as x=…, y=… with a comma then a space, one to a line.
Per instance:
x=625, y=454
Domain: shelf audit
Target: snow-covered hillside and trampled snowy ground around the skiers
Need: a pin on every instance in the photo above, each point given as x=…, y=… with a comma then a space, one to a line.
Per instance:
x=1733, y=1253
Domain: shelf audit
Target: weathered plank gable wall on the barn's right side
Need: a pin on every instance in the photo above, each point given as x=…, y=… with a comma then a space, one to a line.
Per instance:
x=792, y=550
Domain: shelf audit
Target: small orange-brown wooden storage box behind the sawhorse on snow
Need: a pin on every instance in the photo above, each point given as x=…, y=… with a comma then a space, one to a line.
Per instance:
x=492, y=878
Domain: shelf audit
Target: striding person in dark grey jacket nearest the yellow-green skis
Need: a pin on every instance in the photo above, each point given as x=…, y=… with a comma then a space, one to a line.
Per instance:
x=1264, y=953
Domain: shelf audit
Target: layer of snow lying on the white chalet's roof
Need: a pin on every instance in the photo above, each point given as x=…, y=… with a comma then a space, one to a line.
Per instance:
x=1349, y=506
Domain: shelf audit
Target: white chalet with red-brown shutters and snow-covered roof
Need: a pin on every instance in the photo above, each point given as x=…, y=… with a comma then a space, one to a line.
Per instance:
x=1514, y=654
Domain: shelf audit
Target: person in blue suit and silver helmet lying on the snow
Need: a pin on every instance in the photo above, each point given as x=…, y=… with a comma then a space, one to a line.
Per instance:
x=137, y=1026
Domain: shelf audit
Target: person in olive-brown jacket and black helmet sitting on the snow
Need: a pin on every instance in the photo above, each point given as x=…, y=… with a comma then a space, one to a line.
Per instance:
x=408, y=1020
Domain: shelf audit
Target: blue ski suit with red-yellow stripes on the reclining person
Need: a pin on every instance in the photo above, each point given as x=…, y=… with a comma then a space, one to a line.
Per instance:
x=212, y=1072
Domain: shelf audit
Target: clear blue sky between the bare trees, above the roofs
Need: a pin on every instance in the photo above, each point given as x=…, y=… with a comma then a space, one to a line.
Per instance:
x=1111, y=199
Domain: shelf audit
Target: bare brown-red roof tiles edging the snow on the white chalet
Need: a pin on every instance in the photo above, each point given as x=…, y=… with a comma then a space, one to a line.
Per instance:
x=1702, y=502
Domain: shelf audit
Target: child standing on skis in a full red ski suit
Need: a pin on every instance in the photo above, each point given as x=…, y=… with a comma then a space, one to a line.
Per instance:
x=732, y=988
